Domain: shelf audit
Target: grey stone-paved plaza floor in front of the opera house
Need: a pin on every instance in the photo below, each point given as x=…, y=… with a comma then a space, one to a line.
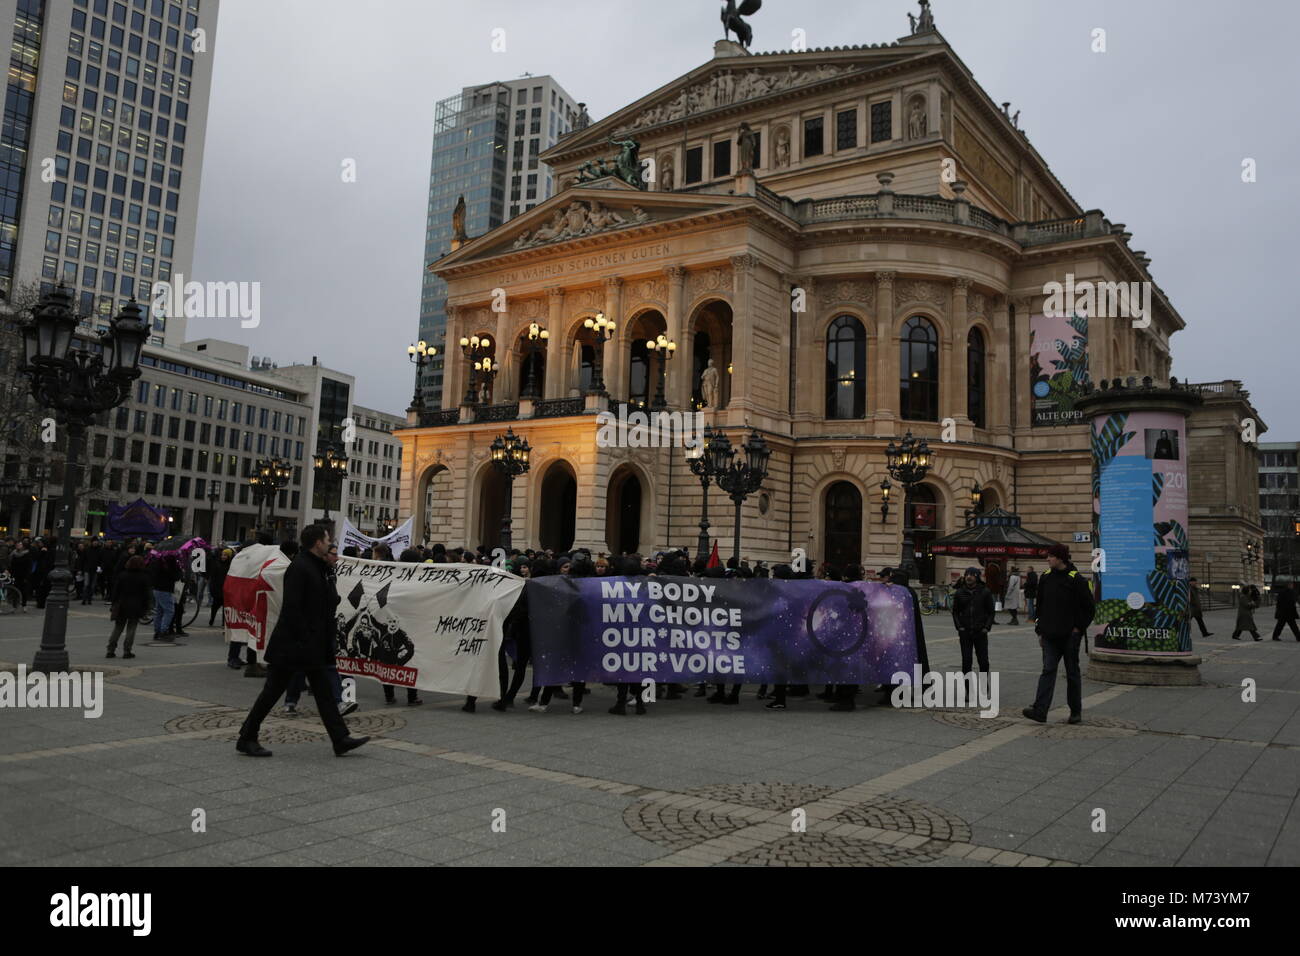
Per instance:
x=1184, y=776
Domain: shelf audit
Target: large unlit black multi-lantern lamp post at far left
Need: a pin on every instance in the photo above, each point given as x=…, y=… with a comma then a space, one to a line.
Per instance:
x=77, y=384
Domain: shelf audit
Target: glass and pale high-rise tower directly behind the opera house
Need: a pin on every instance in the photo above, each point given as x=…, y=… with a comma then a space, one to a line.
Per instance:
x=487, y=141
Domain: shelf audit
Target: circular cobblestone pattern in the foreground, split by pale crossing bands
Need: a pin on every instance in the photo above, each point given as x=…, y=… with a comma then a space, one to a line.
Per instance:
x=682, y=828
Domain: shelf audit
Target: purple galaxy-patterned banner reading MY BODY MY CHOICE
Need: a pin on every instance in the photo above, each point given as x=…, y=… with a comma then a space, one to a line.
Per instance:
x=630, y=630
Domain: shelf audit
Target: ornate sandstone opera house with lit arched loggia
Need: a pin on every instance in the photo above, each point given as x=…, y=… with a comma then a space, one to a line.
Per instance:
x=866, y=257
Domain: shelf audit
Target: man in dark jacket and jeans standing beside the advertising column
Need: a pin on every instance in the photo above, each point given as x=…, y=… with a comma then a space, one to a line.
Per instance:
x=1065, y=612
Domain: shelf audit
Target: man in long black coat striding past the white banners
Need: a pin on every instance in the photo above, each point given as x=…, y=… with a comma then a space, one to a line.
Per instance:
x=304, y=641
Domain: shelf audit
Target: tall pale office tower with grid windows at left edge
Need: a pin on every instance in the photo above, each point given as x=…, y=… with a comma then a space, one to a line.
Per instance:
x=105, y=122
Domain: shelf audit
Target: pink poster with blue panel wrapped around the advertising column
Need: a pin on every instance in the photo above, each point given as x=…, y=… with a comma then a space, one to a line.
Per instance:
x=1141, y=498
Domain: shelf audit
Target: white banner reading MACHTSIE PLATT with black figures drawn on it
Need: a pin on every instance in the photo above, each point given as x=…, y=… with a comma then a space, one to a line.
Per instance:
x=436, y=628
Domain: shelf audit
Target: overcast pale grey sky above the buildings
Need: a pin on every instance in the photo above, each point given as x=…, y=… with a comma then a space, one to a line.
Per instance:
x=1152, y=132
